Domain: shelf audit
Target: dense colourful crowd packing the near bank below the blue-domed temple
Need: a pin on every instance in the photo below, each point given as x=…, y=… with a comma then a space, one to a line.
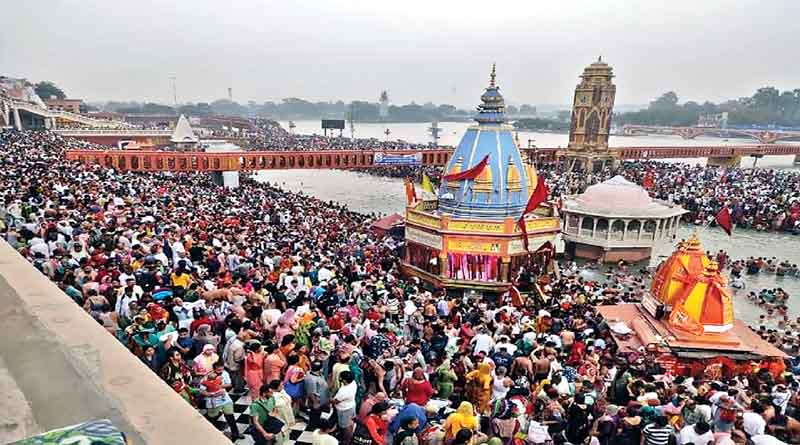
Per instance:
x=295, y=303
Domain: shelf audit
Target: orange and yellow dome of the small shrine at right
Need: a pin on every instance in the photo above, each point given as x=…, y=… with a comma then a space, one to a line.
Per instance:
x=691, y=284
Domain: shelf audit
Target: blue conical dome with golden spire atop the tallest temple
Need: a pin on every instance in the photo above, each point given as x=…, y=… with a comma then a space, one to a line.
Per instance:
x=503, y=187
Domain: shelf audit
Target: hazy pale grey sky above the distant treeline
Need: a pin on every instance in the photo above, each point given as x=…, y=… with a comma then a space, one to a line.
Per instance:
x=433, y=50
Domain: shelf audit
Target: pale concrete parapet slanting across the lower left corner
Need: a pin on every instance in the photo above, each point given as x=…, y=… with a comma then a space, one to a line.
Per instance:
x=70, y=369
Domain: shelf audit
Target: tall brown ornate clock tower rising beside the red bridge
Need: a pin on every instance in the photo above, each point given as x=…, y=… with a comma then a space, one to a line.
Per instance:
x=592, y=108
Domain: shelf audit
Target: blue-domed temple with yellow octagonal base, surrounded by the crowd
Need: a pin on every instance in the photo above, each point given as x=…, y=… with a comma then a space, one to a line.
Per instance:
x=468, y=236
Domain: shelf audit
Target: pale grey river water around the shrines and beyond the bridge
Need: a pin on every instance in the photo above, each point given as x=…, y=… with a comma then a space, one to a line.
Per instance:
x=370, y=194
